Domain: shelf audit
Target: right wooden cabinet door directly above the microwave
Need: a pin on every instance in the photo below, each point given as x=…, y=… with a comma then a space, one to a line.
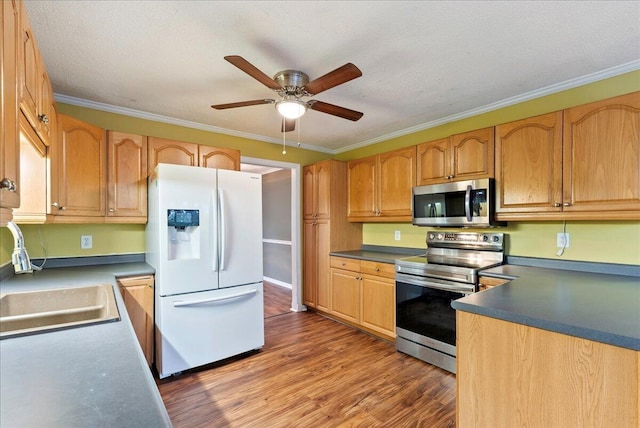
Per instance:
x=472, y=154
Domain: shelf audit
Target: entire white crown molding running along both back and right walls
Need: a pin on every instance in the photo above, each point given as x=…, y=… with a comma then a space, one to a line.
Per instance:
x=527, y=96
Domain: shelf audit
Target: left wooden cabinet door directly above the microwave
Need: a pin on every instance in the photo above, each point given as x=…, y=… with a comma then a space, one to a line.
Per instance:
x=433, y=162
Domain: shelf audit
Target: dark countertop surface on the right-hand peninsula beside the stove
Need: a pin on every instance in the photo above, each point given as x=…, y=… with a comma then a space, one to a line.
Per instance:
x=600, y=307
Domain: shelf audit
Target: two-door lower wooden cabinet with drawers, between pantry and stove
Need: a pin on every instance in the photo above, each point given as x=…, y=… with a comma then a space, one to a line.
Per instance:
x=363, y=294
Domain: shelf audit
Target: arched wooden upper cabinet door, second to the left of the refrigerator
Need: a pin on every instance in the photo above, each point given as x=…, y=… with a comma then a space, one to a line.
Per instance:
x=80, y=168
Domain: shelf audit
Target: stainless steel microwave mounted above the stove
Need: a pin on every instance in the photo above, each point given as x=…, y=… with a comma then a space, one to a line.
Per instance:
x=457, y=204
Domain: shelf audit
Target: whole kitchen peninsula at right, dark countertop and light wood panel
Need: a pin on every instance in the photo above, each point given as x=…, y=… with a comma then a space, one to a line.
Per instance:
x=549, y=348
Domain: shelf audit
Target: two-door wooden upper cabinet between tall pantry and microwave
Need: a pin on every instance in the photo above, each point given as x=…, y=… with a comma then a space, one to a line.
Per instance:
x=380, y=186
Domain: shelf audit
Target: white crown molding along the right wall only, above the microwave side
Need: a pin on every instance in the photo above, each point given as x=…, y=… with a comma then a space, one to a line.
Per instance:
x=527, y=96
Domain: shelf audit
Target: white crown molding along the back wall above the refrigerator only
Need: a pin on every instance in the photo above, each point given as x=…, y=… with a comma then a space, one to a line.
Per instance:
x=80, y=102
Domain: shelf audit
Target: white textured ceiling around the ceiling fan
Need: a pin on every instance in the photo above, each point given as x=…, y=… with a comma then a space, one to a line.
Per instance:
x=423, y=62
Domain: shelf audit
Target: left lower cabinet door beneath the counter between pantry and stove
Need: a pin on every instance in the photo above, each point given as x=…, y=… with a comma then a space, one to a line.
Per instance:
x=345, y=295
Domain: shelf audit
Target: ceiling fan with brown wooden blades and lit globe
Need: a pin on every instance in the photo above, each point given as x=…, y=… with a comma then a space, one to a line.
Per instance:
x=292, y=86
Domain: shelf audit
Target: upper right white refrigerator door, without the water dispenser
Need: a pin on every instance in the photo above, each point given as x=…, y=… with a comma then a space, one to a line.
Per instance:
x=240, y=199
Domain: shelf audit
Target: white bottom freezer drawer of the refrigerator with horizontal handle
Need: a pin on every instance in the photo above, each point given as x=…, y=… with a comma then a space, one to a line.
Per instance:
x=201, y=328
